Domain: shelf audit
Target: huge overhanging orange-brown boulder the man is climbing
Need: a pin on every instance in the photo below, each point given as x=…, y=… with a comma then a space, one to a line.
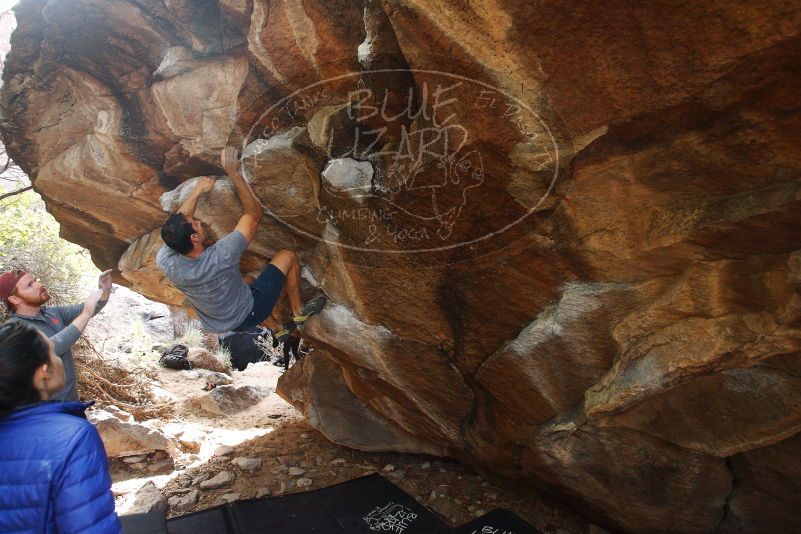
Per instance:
x=576, y=261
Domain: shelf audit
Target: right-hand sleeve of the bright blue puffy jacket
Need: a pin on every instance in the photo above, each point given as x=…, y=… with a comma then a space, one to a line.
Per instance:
x=83, y=501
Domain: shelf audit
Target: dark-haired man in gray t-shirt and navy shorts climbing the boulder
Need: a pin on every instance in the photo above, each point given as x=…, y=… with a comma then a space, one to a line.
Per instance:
x=208, y=273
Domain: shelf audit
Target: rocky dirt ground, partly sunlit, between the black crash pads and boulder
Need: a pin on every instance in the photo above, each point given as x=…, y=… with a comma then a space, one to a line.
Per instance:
x=277, y=434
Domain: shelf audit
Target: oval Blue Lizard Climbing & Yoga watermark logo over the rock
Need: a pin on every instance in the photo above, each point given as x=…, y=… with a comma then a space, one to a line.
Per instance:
x=440, y=162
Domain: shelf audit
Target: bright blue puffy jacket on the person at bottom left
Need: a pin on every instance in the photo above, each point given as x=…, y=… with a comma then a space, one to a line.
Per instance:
x=54, y=472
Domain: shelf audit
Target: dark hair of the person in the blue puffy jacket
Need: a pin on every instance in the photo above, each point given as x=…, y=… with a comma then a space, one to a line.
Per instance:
x=22, y=351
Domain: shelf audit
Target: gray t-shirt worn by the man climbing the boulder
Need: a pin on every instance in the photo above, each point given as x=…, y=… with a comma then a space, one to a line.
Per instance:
x=212, y=282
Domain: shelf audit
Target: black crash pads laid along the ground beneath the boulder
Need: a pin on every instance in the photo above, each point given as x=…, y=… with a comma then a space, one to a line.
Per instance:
x=367, y=505
